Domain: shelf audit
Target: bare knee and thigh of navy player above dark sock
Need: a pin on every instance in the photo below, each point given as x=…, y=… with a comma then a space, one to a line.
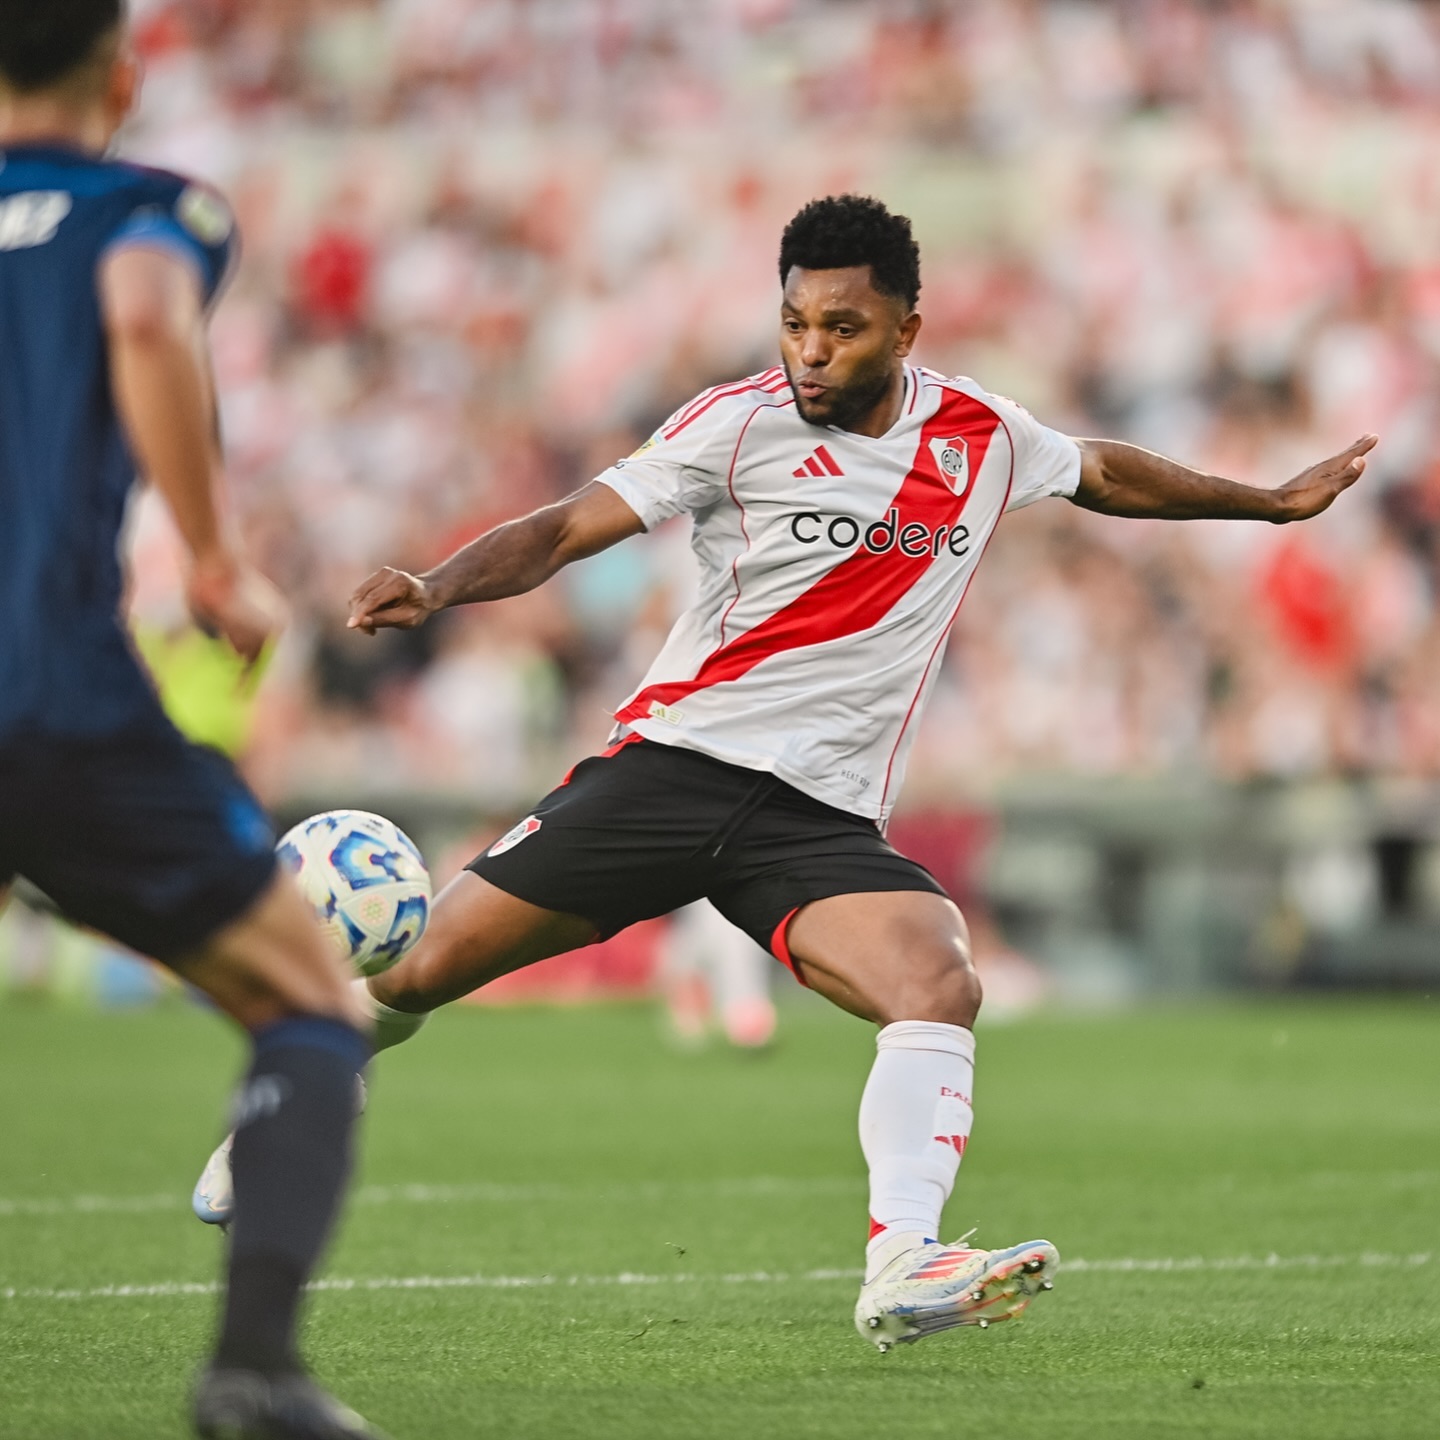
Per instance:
x=273, y=963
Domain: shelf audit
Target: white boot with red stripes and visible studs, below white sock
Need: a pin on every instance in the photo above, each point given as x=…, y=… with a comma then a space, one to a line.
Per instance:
x=934, y=1288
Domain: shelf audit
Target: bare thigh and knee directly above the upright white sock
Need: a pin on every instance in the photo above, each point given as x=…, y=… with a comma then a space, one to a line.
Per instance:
x=888, y=955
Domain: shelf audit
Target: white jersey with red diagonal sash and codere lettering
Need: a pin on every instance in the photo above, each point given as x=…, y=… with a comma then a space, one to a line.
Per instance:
x=832, y=570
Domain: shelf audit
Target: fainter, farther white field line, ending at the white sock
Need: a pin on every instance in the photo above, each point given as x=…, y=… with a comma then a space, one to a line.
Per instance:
x=485, y=1194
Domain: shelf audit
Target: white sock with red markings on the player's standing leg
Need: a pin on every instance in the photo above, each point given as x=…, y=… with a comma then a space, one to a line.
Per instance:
x=915, y=1121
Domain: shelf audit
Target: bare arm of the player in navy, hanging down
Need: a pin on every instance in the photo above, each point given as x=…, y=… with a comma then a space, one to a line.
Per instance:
x=155, y=326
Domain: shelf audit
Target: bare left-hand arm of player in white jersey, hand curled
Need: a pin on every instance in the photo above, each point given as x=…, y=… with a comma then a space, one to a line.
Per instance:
x=508, y=561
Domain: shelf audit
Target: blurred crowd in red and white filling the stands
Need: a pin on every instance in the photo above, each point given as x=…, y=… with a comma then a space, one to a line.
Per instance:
x=490, y=244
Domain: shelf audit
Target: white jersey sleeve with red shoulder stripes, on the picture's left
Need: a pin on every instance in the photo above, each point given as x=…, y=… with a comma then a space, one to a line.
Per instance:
x=685, y=466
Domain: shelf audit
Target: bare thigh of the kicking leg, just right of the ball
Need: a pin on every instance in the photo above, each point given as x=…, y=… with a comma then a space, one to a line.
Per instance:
x=477, y=932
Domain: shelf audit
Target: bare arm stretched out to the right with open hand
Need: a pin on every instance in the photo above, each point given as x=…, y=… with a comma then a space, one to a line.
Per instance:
x=1125, y=480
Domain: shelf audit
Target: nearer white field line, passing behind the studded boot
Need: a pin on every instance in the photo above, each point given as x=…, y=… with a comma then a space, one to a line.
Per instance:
x=629, y=1278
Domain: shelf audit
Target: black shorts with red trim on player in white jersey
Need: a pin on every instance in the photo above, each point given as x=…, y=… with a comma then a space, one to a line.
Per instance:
x=647, y=829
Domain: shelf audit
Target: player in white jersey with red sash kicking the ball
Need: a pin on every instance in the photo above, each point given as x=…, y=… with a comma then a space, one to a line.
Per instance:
x=842, y=503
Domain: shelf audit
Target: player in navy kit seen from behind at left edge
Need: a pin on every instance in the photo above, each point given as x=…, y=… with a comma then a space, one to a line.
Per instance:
x=106, y=277
